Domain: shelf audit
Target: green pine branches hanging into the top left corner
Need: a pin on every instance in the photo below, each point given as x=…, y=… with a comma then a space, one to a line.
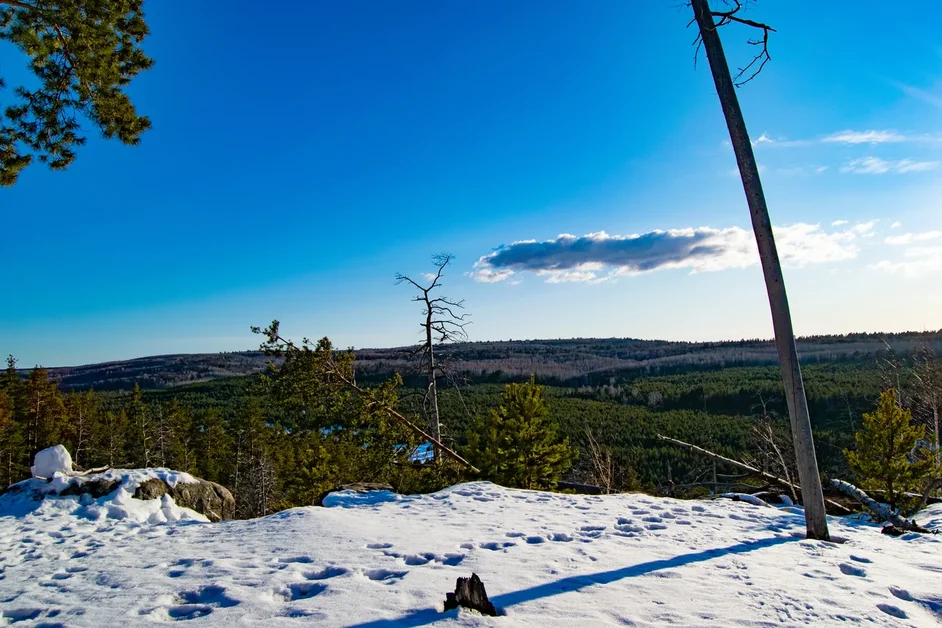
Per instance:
x=83, y=54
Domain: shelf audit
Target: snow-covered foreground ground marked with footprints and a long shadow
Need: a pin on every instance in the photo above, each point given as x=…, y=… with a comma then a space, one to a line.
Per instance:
x=380, y=559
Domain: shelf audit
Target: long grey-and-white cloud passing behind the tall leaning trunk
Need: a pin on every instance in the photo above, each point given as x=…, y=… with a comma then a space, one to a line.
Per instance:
x=598, y=257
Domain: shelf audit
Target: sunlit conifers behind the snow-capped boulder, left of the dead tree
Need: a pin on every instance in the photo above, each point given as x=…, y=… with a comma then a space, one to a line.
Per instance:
x=280, y=442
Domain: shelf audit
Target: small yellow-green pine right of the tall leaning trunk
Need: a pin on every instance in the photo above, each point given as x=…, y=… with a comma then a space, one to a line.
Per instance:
x=887, y=456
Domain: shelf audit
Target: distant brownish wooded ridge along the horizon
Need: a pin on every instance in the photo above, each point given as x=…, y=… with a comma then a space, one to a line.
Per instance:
x=566, y=362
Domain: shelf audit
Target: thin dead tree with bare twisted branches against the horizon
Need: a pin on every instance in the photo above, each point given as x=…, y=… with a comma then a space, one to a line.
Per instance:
x=442, y=322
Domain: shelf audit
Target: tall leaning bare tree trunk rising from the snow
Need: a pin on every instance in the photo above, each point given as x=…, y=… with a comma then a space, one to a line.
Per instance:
x=812, y=494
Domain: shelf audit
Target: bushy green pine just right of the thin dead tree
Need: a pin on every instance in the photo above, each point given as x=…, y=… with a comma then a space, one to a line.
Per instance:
x=516, y=445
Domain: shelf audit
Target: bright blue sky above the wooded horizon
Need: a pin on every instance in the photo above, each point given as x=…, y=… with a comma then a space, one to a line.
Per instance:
x=300, y=158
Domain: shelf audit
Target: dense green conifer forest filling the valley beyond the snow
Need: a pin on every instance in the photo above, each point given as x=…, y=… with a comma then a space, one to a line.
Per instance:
x=283, y=437
